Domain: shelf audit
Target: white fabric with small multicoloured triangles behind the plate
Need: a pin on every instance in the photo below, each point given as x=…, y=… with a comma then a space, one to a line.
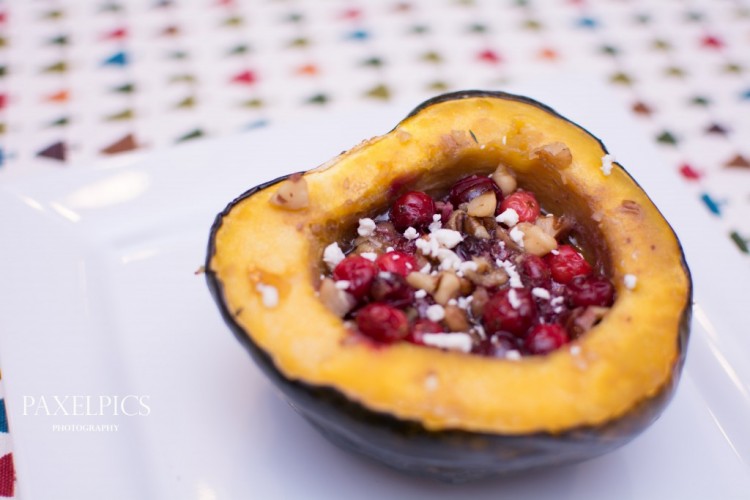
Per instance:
x=82, y=80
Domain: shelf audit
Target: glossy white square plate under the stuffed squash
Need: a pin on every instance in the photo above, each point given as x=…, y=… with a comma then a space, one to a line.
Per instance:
x=98, y=299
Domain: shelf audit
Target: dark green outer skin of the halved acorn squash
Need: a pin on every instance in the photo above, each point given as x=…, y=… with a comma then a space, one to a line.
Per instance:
x=452, y=455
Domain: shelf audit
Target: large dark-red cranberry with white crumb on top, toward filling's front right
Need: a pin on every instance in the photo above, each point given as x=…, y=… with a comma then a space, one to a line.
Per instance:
x=499, y=313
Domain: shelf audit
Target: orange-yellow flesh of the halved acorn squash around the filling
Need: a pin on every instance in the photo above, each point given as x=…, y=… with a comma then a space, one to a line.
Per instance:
x=624, y=360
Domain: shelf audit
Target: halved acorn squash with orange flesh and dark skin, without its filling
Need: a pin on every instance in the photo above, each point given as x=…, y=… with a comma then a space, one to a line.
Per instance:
x=476, y=416
